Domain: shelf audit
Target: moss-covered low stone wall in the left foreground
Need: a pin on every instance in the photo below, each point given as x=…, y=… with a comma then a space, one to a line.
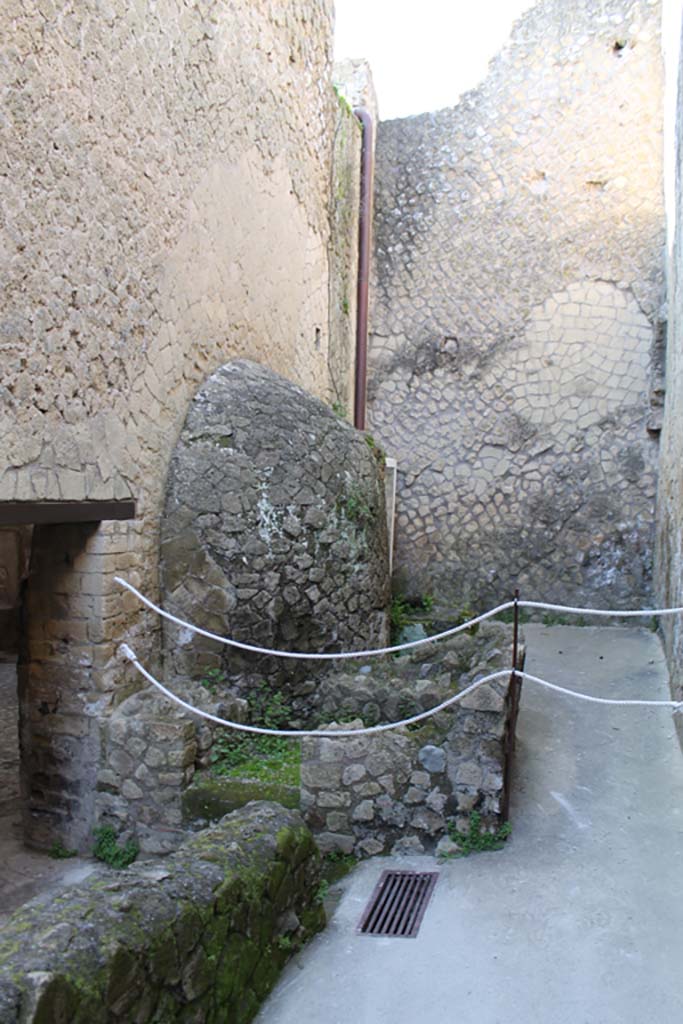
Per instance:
x=200, y=937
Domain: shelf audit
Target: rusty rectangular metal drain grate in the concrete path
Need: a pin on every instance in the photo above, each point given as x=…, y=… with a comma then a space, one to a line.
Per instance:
x=399, y=904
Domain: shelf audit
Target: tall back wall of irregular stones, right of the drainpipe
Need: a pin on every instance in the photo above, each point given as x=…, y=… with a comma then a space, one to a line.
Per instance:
x=516, y=355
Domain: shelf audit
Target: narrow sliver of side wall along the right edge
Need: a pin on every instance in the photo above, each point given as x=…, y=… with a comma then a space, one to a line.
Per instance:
x=670, y=503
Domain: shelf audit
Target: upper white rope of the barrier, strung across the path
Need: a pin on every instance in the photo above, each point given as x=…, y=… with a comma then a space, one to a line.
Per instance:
x=309, y=656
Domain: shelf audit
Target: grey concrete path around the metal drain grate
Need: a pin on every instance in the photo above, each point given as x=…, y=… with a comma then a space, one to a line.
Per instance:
x=580, y=919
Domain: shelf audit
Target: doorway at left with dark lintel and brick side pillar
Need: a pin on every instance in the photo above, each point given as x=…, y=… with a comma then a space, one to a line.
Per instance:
x=55, y=657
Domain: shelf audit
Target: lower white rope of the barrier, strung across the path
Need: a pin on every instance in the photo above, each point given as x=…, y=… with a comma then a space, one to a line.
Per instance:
x=367, y=731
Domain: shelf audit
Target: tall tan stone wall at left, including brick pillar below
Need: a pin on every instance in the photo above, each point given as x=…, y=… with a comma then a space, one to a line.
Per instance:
x=166, y=207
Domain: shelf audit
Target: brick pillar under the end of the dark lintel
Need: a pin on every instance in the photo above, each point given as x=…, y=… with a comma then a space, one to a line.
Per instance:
x=60, y=686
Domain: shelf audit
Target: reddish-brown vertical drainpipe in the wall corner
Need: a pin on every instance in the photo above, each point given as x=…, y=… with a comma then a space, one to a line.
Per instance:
x=365, y=237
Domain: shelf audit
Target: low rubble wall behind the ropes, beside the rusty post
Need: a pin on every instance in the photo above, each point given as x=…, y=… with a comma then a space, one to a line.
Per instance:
x=396, y=791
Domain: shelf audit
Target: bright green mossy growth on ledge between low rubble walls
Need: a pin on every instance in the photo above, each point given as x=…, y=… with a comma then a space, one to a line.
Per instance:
x=269, y=759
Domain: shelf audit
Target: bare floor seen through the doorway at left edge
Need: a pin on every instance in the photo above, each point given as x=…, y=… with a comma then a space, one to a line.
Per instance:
x=24, y=873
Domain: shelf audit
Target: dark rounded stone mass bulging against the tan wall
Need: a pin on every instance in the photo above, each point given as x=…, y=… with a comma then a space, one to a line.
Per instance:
x=275, y=530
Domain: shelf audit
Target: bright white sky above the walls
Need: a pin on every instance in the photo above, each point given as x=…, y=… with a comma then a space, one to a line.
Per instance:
x=423, y=54
